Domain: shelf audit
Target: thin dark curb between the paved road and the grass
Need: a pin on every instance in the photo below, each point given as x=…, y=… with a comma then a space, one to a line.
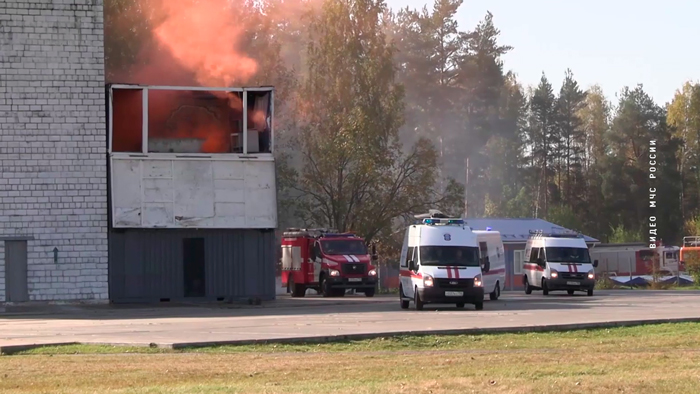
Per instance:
x=12, y=349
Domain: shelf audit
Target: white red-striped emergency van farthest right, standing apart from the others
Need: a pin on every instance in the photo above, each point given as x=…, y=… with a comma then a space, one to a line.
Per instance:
x=558, y=261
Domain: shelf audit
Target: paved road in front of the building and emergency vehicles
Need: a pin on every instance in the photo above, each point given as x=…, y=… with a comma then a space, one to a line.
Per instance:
x=315, y=317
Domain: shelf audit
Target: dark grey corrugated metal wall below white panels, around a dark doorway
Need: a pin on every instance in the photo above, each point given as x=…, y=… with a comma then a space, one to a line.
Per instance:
x=146, y=265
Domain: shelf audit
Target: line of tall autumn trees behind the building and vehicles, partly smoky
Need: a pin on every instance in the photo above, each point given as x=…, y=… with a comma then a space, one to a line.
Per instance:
x=381, y=114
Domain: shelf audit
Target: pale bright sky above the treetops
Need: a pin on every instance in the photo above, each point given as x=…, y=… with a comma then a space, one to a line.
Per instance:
x=613, y=43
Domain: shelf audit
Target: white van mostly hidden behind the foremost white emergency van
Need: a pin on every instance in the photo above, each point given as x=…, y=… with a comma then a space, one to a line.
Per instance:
x=494, y=271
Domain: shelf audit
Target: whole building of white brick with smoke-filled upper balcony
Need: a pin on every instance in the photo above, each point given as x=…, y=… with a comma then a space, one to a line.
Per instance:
x=84, y=215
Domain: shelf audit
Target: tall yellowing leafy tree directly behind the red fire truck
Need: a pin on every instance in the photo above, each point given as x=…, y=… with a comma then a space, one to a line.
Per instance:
x=355, y=173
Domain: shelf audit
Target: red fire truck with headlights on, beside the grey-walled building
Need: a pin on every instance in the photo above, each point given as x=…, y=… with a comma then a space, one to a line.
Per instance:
x=328, y=262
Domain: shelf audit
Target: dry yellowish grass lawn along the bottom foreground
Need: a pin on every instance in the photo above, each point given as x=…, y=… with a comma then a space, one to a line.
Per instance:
x=646, y=359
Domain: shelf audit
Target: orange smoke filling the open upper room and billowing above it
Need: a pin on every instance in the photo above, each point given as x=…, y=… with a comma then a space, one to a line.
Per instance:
x=195, y=43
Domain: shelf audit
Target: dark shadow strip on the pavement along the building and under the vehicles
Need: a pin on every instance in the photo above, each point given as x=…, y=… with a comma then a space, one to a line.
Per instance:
x=316, y=305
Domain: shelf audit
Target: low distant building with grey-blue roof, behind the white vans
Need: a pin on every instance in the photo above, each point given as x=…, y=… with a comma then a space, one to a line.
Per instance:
x=515, y=233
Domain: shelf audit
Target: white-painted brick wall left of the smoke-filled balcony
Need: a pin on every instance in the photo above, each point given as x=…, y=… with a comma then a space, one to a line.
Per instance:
x=53, y=176
